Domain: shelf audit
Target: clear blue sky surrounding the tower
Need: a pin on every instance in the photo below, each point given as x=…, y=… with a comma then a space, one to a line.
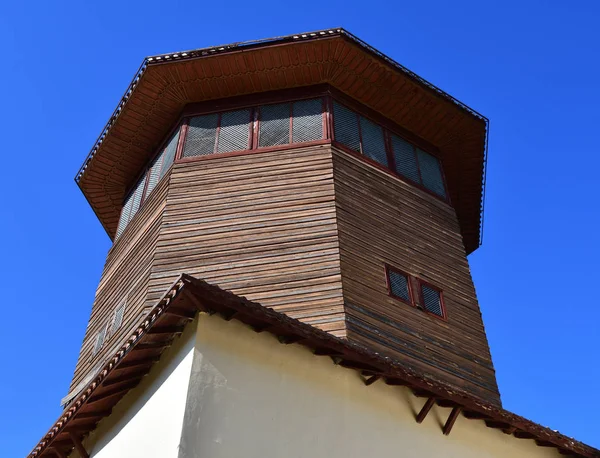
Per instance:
x=531, y=67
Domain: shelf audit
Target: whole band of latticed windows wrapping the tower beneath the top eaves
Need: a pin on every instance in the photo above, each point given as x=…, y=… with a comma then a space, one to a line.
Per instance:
x=281, y=124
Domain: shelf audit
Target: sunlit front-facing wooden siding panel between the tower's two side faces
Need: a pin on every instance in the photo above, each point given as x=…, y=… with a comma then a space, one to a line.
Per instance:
x=260, y=225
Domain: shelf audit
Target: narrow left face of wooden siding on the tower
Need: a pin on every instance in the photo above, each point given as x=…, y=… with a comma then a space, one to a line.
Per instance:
x=125, y=277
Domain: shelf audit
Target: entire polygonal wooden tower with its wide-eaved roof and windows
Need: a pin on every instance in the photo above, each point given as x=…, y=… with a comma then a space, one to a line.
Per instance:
x=310, y=174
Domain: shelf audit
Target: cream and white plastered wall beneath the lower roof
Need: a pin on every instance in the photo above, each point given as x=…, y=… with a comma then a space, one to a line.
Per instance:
x=250, y=396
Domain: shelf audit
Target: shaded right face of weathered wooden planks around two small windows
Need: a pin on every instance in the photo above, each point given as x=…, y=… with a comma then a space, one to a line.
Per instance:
x=382, y=219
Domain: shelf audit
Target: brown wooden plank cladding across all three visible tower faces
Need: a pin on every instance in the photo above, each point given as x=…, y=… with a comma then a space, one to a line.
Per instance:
x=306, y=231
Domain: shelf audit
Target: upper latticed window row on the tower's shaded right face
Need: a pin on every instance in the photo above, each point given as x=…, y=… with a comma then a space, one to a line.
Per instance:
x=368, y=138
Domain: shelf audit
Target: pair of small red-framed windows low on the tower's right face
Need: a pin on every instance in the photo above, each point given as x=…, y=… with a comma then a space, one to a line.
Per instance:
x=429, y=299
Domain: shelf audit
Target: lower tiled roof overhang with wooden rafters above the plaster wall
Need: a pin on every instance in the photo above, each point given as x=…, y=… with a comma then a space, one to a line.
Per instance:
x=188, y=296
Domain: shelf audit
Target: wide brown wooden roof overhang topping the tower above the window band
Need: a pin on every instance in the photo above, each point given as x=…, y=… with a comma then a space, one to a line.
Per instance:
x=165, y=84
